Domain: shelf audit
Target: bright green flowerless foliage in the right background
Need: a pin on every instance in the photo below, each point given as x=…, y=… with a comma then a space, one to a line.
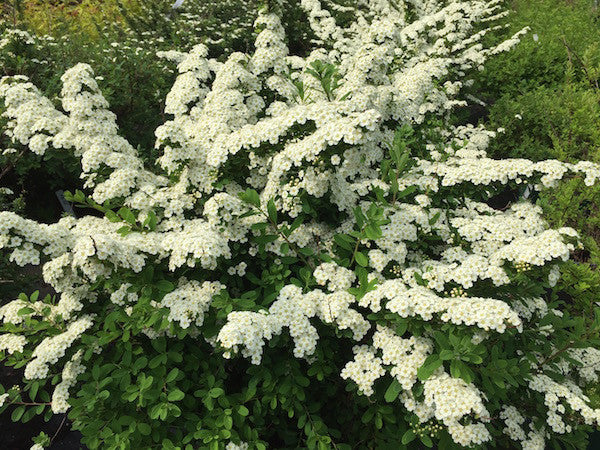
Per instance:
x=545, y=95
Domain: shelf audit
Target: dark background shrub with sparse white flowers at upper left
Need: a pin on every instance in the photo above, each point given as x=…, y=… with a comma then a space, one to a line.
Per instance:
x=132, y=78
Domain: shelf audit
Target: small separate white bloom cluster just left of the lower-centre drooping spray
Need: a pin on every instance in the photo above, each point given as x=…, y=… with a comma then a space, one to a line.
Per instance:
x=189, y=301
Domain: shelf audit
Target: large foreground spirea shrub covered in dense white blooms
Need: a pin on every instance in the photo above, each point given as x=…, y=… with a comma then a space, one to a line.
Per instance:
x=315, y=259
